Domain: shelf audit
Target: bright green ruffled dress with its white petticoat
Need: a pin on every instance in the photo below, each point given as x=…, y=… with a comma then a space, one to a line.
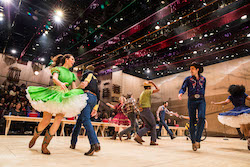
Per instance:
x=55, y=100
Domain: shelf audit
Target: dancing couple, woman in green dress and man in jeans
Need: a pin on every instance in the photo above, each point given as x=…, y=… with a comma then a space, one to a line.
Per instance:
x=61, y=102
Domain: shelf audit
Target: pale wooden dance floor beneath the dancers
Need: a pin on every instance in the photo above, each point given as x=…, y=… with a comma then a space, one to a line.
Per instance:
x=214, y=152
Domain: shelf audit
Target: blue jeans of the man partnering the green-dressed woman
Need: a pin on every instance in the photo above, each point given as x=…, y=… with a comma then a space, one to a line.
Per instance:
x=84, y=118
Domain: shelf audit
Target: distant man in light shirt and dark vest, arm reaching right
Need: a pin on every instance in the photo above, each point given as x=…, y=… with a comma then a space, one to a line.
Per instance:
x=160, y=115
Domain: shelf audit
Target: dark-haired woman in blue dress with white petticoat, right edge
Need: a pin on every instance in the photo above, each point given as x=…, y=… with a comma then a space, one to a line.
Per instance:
x=240, y=115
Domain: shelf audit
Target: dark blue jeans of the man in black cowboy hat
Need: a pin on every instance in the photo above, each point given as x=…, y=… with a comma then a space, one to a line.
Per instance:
x=194, y=105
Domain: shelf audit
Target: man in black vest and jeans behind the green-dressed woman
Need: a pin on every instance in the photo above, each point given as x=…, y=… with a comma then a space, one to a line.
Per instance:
x=89, y=84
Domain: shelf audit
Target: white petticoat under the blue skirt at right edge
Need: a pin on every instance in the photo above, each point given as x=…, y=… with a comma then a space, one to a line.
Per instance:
x=234, y=121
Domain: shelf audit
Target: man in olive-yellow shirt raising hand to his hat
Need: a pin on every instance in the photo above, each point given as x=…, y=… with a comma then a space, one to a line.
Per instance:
x=146, y=115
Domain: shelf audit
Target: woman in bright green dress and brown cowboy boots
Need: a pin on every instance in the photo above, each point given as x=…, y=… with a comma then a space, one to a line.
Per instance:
x=56, y=100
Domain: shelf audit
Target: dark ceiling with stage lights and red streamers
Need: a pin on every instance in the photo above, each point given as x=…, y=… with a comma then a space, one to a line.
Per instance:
x=145, y=38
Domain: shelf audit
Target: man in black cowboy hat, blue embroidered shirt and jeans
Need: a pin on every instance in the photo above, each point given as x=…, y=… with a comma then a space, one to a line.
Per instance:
x=196, y=85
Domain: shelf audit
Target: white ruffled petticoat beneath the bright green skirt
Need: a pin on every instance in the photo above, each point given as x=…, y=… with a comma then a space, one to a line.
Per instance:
x=71, y=107
